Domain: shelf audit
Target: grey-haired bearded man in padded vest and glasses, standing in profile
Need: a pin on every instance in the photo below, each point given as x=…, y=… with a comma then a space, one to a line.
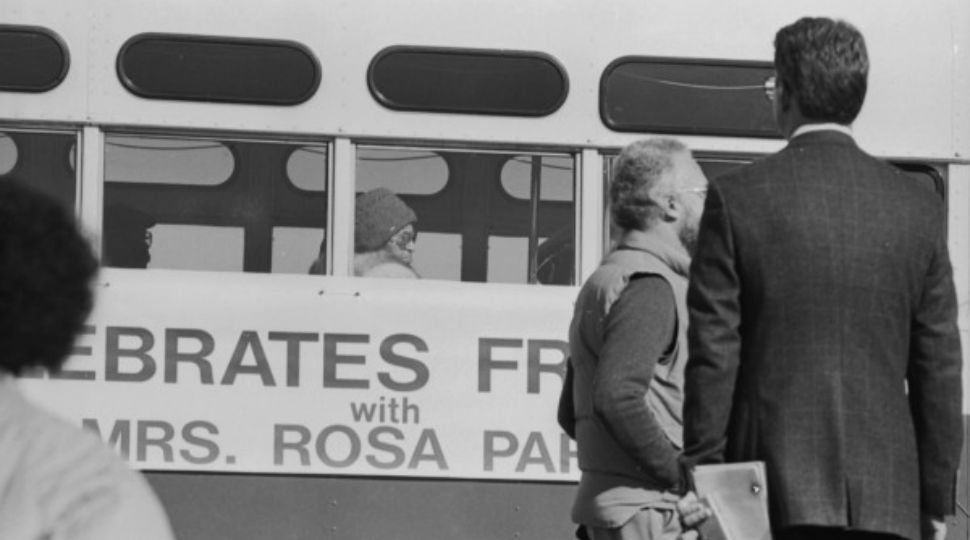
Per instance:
x=623, y=392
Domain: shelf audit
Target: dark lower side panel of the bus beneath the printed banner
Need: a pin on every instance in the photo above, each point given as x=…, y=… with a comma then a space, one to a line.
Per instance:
x=242, y=507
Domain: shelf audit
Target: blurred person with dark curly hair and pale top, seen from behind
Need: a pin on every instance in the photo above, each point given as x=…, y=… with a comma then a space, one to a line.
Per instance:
x=56, y=480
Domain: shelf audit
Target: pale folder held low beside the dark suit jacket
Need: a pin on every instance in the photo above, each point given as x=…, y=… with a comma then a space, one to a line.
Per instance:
x=737, y=495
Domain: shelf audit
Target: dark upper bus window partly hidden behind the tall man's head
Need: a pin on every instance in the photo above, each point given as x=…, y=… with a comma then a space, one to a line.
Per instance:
x=704, y=97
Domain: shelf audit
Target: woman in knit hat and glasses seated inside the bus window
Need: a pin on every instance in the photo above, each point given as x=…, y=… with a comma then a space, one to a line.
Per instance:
x=384, y=235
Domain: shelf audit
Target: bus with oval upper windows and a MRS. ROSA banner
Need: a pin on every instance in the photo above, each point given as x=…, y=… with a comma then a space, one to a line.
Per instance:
x=230, y=140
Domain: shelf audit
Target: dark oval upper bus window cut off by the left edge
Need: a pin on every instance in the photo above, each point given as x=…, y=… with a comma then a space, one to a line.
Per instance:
x=32, y=59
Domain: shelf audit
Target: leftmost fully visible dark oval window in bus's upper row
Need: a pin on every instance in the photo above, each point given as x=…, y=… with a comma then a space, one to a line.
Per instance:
x=204, y=68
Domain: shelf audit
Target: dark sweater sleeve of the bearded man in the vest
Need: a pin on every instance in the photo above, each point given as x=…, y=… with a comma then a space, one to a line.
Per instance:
x=640, y=327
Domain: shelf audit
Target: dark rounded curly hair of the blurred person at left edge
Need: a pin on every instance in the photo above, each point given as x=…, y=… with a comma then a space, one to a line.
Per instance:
x=46, y=269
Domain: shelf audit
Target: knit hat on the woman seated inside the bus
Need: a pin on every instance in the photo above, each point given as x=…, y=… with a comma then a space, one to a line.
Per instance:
x=380, y=214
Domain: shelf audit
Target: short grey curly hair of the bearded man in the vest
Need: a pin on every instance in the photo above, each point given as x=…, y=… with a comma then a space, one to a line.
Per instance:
x=636, y=171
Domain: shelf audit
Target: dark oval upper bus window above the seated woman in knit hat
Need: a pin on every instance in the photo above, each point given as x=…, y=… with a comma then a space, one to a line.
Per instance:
x=467, y=81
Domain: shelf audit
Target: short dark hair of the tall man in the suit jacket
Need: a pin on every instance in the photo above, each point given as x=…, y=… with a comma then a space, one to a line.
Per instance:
x=823, y=65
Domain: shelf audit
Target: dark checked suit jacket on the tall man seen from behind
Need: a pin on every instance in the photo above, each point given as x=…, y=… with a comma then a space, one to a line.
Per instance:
x=823, y=338
